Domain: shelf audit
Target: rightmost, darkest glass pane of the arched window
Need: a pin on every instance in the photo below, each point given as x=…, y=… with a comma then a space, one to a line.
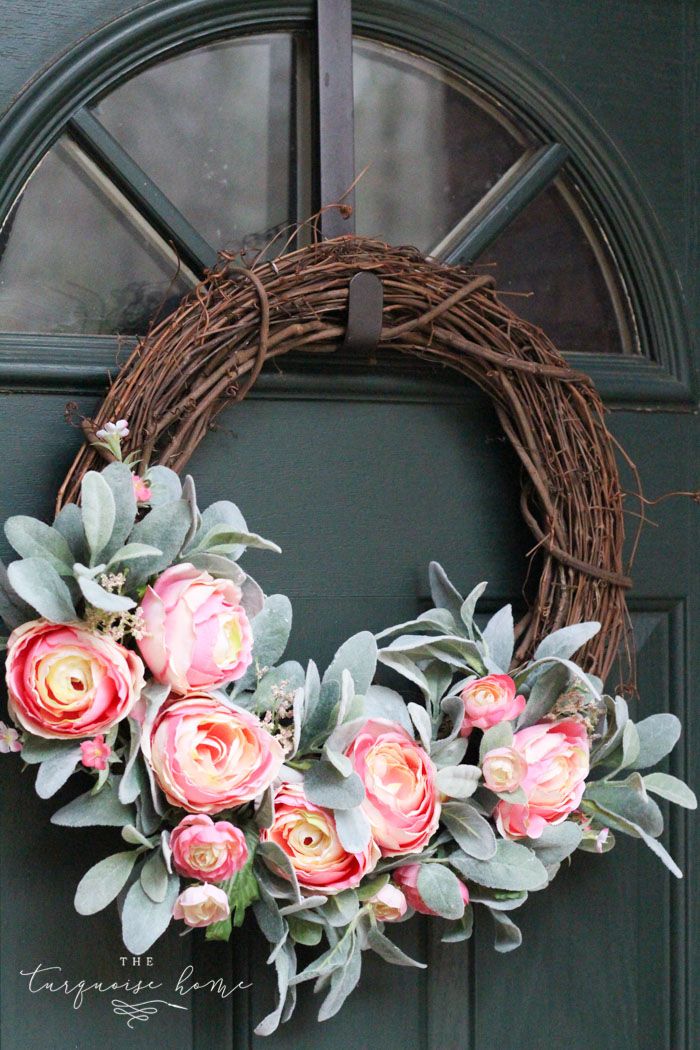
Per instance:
x=569, y=289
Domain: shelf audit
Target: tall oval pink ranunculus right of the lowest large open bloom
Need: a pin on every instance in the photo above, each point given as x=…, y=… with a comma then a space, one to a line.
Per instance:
x=401, y=799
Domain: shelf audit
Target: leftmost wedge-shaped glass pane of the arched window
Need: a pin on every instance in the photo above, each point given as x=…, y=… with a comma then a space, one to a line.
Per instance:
x=75, y=258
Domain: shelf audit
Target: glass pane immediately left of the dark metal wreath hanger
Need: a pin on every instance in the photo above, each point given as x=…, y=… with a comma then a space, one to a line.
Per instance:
x=215, y=132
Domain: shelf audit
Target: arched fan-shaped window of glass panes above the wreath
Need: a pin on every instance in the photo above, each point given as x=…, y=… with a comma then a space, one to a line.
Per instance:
x=219, y=141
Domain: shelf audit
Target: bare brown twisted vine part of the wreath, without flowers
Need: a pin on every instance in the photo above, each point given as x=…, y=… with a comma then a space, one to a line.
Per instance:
x=209, y=353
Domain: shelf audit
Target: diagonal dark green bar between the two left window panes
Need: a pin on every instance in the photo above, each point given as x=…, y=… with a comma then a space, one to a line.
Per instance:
x=144, y=195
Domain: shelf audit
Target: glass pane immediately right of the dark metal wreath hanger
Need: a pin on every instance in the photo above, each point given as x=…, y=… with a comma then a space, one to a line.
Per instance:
x=433, y=149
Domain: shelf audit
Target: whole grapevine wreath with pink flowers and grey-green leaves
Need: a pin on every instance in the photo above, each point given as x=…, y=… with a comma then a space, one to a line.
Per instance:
x=143, y=656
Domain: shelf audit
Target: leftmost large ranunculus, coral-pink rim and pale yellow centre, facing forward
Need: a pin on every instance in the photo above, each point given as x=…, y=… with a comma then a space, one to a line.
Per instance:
x=66, y=681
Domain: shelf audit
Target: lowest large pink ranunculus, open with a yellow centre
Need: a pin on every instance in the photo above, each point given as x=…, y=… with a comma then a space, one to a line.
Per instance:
x=307, y=833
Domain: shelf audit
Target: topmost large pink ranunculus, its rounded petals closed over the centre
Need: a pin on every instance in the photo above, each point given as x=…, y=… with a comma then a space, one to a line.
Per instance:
x=197, y=633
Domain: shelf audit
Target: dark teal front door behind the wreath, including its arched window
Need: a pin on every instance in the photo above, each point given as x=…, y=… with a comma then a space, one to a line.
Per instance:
x=365, y=474
